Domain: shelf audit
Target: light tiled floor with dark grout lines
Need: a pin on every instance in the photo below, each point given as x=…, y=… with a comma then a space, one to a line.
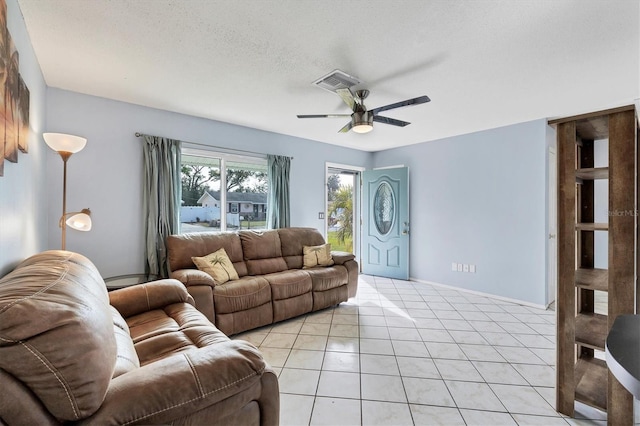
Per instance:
x=404, y=353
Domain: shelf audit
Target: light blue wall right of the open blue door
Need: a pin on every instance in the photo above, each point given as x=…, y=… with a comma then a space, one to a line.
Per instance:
x=480, y=199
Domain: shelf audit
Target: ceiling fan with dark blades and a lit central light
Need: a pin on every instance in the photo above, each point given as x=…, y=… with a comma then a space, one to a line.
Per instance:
x=361, y=118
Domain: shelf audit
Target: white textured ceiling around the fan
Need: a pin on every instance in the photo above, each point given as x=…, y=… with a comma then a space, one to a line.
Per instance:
x=484, y=64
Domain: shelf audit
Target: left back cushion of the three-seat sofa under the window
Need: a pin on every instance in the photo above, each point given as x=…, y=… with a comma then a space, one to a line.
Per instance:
x=181, y=248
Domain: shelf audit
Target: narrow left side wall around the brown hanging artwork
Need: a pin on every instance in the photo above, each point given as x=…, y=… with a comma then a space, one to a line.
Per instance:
x=23, y=191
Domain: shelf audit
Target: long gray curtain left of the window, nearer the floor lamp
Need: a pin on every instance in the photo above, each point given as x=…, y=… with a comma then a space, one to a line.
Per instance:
x=160, y=199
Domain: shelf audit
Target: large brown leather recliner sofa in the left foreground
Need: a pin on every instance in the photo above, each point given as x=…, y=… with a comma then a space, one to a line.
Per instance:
x=71, y=352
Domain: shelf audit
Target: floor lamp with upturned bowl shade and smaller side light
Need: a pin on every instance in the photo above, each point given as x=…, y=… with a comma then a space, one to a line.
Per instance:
x=66, y=145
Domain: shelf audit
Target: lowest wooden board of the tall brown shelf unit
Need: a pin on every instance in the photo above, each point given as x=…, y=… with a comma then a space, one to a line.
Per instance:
x=591, y=382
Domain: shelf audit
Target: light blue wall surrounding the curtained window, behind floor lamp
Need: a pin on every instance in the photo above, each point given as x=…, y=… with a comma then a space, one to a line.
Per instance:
x=107, y=175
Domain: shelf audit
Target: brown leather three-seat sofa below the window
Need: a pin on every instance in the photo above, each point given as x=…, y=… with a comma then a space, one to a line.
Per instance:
x=272, y=284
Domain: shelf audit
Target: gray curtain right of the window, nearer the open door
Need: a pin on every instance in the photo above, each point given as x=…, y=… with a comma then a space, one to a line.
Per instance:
x=278, y=210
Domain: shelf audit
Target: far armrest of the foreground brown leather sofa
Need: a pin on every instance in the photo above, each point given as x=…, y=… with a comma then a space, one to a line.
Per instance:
x=145, y=297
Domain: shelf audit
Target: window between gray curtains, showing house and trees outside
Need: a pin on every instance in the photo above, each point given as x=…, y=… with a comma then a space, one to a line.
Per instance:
x=222, y=192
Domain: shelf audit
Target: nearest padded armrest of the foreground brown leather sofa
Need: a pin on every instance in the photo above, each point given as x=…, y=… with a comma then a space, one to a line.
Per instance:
x=183, y=384
